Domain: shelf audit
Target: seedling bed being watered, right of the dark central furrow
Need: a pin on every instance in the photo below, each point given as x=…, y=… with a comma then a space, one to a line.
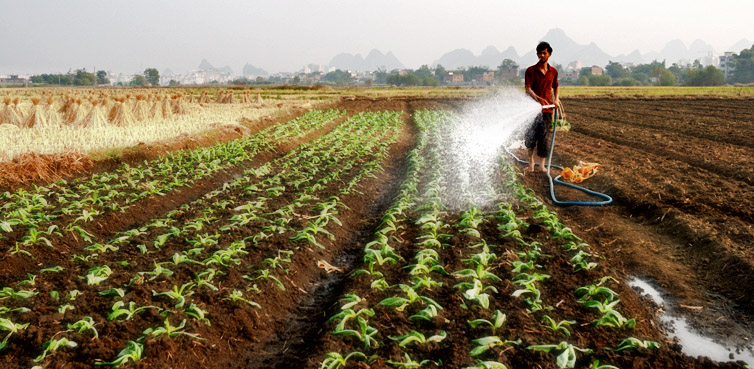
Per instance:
x=478, y=289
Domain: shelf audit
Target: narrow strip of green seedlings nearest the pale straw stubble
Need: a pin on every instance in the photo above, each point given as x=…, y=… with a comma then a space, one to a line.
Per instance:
x=81, y=201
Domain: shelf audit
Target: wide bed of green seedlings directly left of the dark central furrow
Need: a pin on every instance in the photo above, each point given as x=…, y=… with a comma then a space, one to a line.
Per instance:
x=227, y=251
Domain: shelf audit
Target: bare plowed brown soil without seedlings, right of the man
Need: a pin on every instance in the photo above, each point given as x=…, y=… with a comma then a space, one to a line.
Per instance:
x=679, y=171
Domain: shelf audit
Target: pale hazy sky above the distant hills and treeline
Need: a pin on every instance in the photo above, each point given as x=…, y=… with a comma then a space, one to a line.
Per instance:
x=284, y=35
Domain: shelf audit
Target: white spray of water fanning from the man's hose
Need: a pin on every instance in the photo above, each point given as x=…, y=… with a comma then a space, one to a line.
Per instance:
x=474, y=143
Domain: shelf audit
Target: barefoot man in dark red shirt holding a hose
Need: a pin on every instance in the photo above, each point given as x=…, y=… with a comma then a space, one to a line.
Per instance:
x=540, y=81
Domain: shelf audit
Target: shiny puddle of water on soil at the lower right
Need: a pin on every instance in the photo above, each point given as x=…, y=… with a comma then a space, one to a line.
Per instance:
x=694, y=344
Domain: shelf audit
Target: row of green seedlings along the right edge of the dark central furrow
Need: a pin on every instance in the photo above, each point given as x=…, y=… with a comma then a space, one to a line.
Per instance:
x=352, y=320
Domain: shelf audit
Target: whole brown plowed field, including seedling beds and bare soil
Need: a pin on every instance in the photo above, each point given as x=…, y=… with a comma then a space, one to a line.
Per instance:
x=260, y=259
